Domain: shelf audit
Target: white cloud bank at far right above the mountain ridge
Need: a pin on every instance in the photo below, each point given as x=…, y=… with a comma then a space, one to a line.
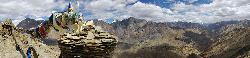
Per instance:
x=218, y=10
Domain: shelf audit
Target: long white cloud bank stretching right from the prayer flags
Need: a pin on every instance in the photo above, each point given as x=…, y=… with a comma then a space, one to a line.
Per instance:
x=122, y=9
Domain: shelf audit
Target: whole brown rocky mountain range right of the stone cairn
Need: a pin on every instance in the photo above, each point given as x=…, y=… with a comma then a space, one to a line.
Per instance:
x=139, y=38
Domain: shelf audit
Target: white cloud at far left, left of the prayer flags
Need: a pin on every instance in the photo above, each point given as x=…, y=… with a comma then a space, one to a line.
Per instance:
x=18, y=9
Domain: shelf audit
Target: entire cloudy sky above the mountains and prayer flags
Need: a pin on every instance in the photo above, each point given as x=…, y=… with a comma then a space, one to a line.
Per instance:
x=197, y=11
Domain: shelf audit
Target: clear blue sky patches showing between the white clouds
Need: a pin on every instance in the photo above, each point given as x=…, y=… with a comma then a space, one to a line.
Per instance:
x=168, y=4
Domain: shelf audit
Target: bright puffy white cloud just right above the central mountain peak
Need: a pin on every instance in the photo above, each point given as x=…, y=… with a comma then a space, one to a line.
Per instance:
x=146, y=11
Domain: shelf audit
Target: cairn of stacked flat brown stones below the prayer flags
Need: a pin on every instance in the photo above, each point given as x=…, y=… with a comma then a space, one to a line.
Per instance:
x=84, y=45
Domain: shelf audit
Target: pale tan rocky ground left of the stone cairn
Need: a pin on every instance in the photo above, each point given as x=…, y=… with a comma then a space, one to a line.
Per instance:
x=16, y=45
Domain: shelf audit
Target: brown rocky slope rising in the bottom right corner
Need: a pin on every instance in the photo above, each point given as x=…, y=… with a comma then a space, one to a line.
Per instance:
x=233, y=42
